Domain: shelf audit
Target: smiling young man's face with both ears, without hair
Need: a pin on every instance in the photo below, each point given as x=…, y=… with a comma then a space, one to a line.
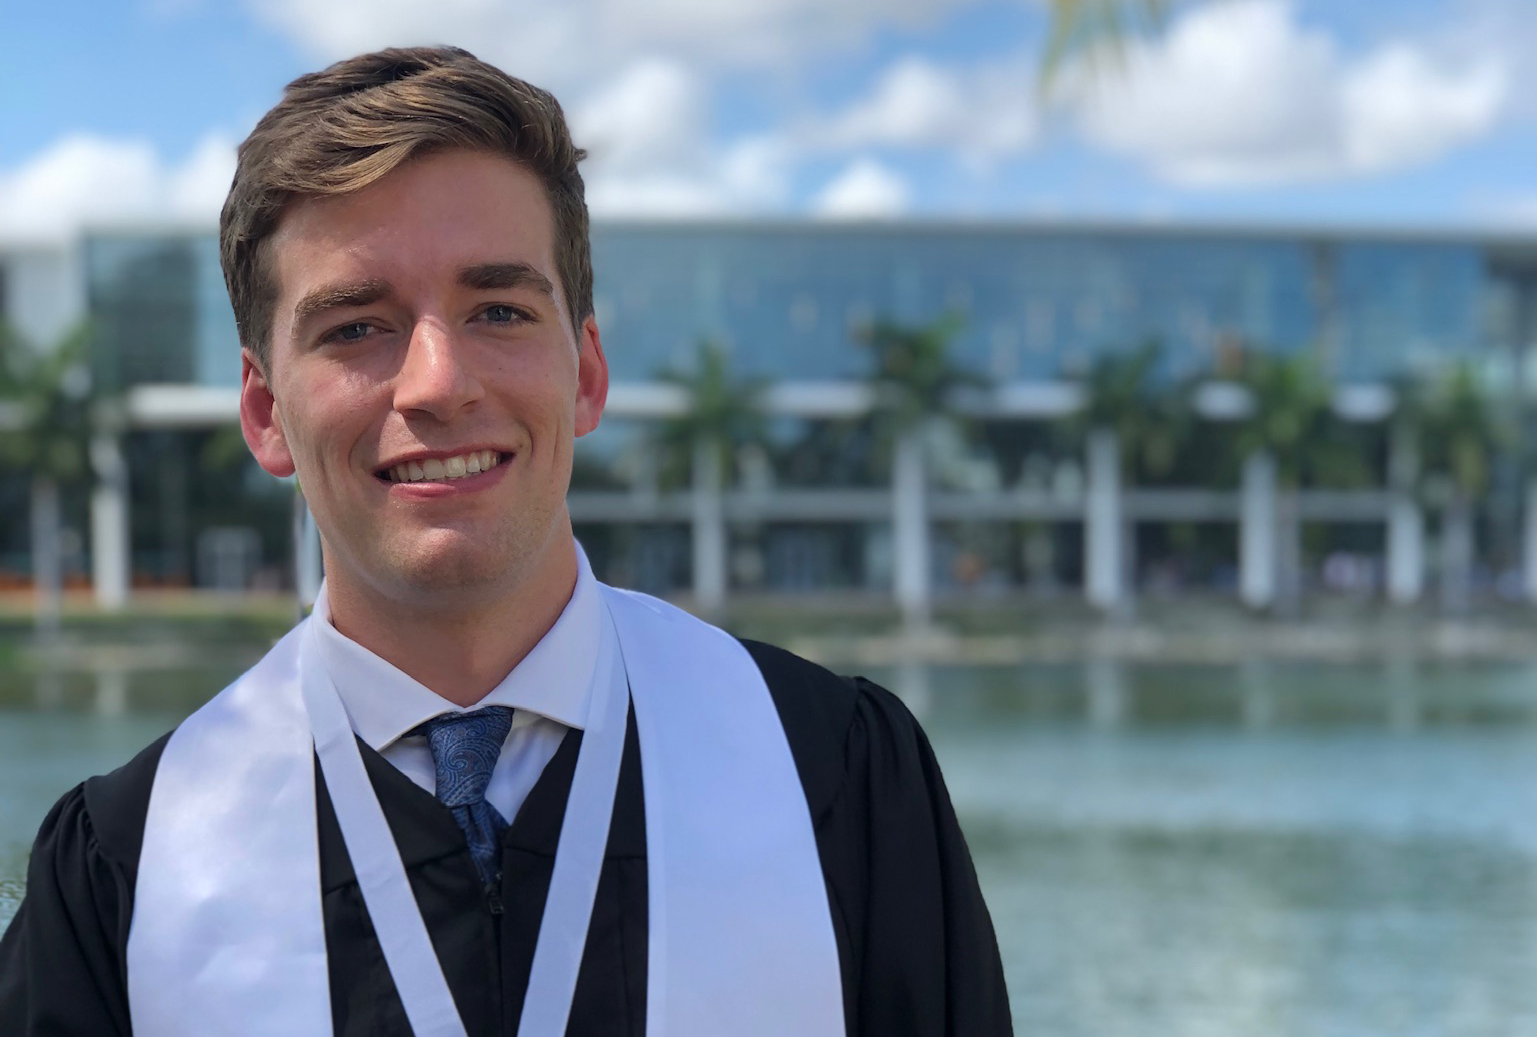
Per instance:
x=425, y=379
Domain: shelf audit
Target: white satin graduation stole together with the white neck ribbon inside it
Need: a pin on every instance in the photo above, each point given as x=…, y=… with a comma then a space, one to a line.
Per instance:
x=228, y=935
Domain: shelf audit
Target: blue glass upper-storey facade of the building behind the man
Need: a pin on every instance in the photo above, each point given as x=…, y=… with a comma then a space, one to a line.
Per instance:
x=1037, y=303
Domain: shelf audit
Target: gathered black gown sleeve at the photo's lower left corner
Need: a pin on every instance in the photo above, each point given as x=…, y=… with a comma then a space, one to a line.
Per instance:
x=62, y=970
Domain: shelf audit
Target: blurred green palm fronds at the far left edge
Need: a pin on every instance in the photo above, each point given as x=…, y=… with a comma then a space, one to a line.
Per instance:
x=45, y=394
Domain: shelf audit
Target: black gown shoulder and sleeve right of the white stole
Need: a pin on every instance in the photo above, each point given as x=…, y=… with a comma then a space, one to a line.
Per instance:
x=915, y=943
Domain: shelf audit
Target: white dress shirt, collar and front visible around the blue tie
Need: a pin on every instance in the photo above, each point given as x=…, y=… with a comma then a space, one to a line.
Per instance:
x=549, y=694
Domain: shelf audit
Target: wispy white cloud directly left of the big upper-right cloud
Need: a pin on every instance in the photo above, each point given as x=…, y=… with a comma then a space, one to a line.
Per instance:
x=915, y=104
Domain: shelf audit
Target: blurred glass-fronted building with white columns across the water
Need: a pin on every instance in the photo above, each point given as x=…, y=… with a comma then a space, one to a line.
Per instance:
x=1097, y=412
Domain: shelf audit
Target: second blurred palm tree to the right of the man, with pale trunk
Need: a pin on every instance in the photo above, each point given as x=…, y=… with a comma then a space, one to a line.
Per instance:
x=914, y=377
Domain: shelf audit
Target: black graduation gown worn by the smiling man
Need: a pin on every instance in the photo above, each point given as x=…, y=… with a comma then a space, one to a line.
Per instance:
x=915, y=943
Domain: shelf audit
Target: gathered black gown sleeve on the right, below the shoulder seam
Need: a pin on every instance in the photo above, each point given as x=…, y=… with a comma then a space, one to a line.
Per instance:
x=925, y=946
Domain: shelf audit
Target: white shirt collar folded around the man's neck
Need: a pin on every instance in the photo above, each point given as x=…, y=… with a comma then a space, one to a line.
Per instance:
x=554, y=680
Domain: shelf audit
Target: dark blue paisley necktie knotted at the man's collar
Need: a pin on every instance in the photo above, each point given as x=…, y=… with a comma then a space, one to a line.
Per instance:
x=465, y=750
